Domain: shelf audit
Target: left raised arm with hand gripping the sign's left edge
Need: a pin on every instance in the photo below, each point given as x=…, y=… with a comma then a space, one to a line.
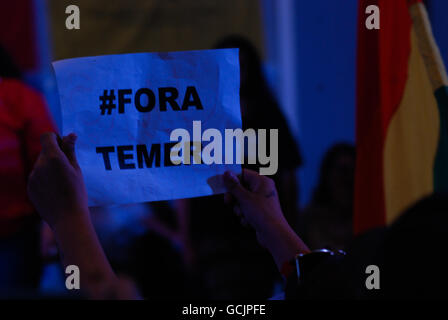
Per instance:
x=56, y=188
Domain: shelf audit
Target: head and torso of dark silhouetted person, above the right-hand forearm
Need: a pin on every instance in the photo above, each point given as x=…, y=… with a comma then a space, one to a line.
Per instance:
x=260, y=110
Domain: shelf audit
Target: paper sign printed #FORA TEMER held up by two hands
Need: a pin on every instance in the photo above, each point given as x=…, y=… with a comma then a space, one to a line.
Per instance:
x=123, y=109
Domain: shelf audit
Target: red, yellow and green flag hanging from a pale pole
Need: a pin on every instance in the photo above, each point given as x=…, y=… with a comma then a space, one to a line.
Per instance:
x=402, y=114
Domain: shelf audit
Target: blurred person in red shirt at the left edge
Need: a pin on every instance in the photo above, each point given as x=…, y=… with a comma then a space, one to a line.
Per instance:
x=23, y=118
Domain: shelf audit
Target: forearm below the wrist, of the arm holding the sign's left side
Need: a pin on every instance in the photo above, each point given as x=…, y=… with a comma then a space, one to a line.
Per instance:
x=79, y=245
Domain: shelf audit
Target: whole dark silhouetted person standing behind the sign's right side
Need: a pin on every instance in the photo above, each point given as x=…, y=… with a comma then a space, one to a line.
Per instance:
x=229, y=264
